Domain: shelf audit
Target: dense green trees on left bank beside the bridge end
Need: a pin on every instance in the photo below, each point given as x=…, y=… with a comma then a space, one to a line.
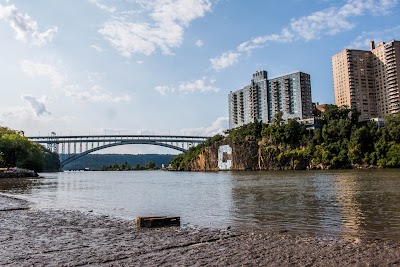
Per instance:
x=18, y=151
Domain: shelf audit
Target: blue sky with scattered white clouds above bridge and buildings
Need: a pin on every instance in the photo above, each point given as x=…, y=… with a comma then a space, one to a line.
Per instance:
x=82, y=67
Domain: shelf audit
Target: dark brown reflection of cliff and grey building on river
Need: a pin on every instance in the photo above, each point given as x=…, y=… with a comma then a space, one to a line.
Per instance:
x=293, y=201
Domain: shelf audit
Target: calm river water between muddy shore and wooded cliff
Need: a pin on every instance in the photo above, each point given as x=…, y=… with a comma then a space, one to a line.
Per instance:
x=347, y=203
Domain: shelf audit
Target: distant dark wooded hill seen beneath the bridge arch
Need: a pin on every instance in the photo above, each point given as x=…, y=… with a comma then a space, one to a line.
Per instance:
x=97, y=161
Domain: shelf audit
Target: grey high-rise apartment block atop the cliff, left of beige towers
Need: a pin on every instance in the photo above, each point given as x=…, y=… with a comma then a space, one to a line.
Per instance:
x=263, y=98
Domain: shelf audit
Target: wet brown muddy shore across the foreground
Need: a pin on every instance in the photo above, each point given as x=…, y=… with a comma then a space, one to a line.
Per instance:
x=30, y=237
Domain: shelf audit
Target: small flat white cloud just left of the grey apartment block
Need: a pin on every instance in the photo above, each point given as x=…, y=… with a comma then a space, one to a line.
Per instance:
x=203, y=85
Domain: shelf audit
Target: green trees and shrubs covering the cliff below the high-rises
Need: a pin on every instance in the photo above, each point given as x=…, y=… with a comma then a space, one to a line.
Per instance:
x=342, y=142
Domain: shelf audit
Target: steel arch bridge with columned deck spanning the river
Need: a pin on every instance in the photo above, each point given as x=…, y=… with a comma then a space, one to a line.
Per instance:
x=71, y=148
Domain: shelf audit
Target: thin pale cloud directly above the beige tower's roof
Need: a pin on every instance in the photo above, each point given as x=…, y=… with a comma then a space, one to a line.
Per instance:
x=362, y=41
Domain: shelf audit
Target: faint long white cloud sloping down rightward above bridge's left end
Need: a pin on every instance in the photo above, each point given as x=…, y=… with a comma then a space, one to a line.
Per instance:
x=95, y=93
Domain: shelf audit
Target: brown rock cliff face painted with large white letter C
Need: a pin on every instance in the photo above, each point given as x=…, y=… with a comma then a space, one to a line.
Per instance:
x=243, y=155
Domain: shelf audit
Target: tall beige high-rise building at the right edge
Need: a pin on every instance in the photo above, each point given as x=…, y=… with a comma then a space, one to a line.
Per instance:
x=368, y=80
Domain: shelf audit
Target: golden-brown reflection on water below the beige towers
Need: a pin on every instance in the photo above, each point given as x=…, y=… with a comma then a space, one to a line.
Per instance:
x=369, y=203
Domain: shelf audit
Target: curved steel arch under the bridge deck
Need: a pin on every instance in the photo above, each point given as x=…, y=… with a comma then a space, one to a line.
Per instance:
x=131, y=142
